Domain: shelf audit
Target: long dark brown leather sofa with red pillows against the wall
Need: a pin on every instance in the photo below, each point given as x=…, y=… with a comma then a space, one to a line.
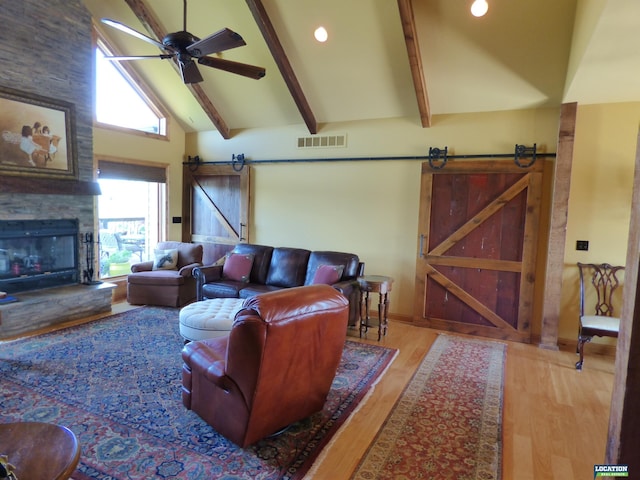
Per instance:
x=276, y=268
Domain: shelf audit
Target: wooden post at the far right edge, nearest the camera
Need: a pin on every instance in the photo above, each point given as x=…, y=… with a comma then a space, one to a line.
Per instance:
x=624, y=417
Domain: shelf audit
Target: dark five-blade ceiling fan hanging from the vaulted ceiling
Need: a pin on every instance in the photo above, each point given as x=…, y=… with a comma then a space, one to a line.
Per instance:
x=184, y=47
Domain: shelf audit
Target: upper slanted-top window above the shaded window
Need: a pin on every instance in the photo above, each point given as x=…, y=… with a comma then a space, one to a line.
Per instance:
x=120, y=100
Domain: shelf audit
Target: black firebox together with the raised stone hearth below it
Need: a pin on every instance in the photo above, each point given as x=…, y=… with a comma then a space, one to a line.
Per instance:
x=40, y=266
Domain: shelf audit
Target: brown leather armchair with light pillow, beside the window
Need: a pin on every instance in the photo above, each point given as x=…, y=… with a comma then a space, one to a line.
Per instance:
x=170, y=288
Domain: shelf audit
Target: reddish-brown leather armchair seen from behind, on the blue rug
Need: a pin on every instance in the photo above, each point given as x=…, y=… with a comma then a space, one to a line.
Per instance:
x=274, y=368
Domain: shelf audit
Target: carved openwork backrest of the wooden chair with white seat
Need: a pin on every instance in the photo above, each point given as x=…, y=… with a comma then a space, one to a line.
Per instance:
x=605, y=280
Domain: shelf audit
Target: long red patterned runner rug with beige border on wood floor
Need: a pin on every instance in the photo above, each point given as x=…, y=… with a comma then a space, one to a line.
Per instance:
x=447, y=422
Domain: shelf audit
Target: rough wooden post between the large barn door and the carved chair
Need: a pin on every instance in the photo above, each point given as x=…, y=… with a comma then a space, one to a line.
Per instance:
x=558, y=227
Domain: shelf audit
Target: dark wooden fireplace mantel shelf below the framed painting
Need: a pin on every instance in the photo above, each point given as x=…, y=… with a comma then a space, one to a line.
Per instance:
x=47, y=186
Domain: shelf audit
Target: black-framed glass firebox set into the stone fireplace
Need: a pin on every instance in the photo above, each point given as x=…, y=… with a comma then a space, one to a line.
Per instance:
x=37, y=254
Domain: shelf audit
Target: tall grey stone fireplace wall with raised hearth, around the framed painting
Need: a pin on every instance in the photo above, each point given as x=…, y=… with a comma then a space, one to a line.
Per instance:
x=65, y=76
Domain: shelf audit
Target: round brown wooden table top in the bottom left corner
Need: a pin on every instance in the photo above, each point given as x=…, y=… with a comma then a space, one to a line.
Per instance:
x=40, y=451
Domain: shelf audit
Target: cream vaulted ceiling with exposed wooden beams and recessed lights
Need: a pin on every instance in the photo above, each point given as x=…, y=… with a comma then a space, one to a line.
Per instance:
x=406, y=58
